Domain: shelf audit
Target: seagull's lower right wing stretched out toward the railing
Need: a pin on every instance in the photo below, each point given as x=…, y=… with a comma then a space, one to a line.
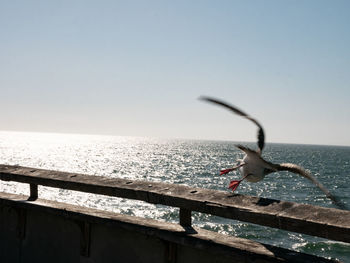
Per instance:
x=301, y=171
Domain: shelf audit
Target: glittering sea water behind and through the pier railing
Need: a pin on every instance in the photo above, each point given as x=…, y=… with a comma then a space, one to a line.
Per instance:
x=190, y=162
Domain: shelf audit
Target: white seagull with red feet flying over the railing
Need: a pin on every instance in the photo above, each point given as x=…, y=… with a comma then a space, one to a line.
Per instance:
x=253, y=167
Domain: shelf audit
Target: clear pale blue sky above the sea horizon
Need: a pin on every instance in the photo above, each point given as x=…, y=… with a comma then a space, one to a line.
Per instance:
x=137, y=68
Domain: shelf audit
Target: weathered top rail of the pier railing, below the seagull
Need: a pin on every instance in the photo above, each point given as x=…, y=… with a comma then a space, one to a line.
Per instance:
x=317, y=221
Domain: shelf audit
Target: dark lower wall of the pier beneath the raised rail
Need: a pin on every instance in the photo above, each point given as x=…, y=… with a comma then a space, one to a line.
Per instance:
x=48, y=231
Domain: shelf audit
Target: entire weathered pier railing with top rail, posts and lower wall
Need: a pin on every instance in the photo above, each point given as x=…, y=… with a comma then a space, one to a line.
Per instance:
x=37, y=230
